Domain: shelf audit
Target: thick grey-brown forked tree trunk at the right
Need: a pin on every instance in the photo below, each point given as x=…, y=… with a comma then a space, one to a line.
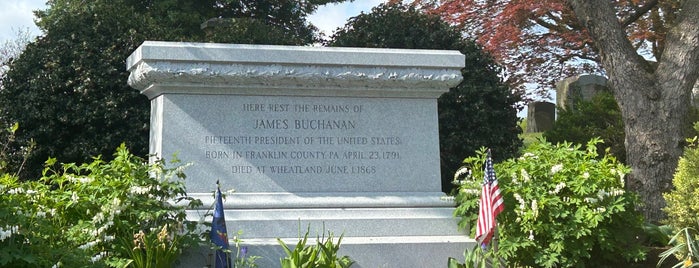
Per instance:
x=654, y=99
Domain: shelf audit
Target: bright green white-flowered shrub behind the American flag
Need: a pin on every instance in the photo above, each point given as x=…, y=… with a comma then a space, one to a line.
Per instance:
x=564, y=206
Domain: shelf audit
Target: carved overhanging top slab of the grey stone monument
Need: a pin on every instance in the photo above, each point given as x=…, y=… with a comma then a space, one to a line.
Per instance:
x=236, y=69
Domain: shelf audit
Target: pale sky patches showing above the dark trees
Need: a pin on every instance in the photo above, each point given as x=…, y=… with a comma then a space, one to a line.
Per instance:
x=16, y=15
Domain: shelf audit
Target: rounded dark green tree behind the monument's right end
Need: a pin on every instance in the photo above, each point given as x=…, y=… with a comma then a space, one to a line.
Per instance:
x=480, y=111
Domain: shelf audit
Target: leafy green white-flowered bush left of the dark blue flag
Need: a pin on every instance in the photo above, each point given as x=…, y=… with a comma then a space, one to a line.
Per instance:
x=117, y=213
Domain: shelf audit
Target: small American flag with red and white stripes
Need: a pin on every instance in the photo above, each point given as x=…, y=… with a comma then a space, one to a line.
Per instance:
x=491, y=204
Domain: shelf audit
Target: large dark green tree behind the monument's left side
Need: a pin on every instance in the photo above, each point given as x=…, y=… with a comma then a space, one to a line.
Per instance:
x=68, y=90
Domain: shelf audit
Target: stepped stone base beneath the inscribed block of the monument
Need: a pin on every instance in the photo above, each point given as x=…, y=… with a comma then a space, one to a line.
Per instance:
x=380, y=229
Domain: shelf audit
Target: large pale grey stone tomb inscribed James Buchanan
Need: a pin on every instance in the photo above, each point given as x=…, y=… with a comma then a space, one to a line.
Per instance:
x=344, y=138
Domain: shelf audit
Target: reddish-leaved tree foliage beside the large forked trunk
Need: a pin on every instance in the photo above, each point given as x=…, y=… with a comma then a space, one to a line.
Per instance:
x=540, y=41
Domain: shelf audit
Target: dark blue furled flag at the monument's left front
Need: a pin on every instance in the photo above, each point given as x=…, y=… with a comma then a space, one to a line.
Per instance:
x=218, y=233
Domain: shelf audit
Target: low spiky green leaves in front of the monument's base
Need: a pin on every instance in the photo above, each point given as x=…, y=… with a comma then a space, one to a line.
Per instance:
x=322, y=255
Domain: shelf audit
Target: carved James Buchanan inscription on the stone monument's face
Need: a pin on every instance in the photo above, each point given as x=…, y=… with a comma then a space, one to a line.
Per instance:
x=308, y=138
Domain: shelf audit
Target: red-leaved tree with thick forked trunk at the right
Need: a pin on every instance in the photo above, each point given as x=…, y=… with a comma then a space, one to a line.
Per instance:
x=654, y=96
